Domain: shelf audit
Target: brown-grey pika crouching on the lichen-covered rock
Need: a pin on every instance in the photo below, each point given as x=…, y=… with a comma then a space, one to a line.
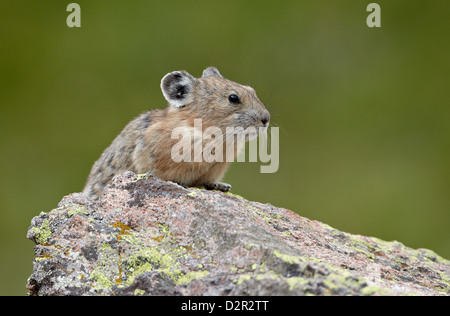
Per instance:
x=145, y=145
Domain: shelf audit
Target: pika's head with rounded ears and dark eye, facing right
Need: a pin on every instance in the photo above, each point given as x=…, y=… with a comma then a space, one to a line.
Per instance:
x=218, y=101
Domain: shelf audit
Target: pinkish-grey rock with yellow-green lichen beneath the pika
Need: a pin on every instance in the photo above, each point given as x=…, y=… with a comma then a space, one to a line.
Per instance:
x=151, y=237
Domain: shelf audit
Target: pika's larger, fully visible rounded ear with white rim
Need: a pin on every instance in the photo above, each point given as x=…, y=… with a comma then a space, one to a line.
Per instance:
x=177, y=86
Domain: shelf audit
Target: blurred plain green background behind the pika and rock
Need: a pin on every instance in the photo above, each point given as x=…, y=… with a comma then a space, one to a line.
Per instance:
x=364, y=114
